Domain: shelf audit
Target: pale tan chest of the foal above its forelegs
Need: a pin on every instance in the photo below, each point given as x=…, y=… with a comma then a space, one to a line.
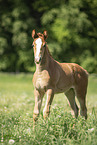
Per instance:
x=41, y=80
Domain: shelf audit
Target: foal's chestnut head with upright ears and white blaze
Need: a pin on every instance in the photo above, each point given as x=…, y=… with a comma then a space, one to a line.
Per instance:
x=39, y=44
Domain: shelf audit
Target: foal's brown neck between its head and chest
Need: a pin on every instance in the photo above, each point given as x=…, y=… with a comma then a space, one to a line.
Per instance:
x=45, y=61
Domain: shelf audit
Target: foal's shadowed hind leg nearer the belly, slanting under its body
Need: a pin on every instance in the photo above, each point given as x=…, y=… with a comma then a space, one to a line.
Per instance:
x=71, y=98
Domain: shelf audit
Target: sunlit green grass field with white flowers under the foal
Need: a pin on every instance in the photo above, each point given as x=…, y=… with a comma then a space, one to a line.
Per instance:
x=61, y=128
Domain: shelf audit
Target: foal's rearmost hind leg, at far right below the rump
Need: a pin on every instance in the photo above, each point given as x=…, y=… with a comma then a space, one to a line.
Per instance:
x=81, y=95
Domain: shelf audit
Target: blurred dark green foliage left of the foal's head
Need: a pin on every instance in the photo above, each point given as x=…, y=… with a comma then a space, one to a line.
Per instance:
x=15, y=41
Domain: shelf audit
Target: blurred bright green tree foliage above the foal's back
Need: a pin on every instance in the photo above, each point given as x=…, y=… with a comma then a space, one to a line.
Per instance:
x=72, y=28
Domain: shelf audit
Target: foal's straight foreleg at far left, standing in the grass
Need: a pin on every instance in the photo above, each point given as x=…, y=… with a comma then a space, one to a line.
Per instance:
x=38, y=102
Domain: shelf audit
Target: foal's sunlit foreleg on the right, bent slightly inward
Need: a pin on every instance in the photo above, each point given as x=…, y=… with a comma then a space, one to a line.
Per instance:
x=50, y=95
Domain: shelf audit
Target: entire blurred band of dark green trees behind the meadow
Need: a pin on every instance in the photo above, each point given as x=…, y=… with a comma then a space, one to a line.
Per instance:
x=71, y=26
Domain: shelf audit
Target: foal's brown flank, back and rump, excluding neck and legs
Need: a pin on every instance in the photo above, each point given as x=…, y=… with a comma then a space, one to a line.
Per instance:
x=71, y=75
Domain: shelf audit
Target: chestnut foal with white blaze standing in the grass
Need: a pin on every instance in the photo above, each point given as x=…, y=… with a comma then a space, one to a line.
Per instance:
x=52, y=77
